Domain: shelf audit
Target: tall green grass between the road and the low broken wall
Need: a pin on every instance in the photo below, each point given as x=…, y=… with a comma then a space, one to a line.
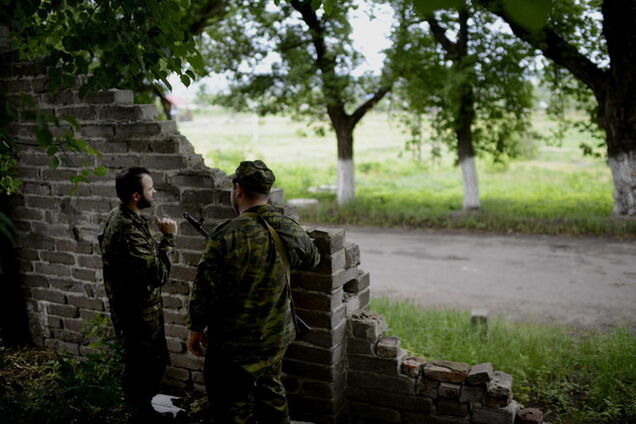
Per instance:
x=575, y=379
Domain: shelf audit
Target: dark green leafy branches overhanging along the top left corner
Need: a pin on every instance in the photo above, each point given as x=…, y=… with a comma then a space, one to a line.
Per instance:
x=109, y=41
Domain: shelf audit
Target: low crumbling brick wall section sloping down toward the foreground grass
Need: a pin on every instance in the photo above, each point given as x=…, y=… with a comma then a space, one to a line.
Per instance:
x=386, y=384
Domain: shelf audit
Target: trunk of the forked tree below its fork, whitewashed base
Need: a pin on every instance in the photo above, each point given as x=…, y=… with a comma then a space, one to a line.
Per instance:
x=345, y=168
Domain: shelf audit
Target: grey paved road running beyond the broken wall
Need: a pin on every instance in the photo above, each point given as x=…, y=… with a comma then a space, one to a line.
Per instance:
x=585, y=282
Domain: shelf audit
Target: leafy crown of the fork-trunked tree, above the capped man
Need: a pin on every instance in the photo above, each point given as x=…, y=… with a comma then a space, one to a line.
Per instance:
x=254, y=32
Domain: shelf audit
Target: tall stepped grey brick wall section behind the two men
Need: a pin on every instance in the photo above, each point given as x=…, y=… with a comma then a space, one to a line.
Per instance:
x=58, y=249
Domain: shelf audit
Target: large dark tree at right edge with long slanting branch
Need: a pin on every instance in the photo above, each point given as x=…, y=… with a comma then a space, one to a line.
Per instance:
x=594, y=41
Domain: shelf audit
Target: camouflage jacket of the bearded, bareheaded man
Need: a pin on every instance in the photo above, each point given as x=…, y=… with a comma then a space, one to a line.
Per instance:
x=135, y=268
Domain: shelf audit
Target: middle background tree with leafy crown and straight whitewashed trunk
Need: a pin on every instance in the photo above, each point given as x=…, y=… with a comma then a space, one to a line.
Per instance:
x=470, y=77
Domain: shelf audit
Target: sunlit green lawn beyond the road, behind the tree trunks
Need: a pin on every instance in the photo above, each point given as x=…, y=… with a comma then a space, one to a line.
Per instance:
x=555, y=190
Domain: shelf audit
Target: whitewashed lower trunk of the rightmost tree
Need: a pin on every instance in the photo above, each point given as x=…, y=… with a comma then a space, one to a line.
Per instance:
x=623, y=166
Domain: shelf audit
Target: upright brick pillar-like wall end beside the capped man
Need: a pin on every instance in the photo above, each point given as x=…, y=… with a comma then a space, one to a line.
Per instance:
x=316, y=365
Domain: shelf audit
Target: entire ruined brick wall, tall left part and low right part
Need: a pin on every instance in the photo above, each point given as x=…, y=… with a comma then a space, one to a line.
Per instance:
x=344, y=369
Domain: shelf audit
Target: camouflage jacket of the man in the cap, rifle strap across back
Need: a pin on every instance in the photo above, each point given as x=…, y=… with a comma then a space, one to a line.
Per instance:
x=240, y=291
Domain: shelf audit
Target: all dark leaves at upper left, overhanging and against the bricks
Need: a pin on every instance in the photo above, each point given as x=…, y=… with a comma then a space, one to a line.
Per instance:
x=114, y=43
